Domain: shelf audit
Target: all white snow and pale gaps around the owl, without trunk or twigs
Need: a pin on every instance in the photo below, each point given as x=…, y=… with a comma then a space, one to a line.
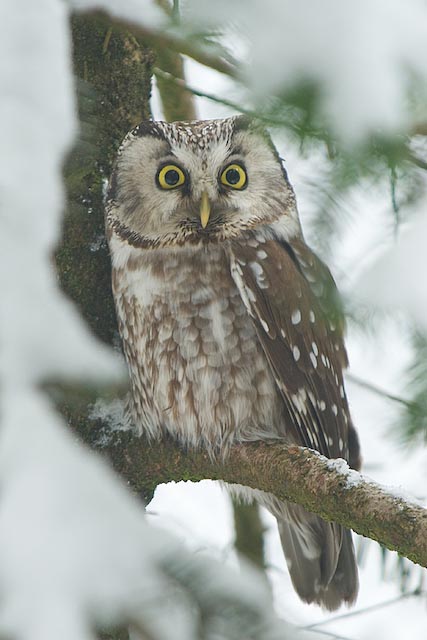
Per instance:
x=58, y=573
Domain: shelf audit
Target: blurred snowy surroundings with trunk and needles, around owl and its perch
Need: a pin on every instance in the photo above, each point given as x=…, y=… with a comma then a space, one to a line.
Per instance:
x=342, y=87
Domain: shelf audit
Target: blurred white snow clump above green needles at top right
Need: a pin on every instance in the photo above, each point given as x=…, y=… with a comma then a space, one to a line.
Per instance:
x=361, y=54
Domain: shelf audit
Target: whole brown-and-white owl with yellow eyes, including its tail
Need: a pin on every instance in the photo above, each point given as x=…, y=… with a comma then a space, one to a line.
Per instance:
x=227, y=317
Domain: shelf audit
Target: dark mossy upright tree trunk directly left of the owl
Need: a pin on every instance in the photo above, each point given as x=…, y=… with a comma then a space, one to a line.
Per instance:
x=113, y=78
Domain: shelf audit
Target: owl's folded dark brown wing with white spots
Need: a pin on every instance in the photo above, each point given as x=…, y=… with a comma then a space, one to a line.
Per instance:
x=289, y=295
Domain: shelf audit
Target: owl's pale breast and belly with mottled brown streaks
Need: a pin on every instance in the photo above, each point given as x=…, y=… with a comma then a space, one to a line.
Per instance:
x=197, y=369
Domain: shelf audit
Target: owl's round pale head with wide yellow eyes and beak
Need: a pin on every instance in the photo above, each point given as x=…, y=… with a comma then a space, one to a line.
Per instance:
x=198, y=182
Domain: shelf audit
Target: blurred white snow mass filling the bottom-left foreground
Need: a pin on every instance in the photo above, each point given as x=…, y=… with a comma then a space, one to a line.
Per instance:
x=76, y=551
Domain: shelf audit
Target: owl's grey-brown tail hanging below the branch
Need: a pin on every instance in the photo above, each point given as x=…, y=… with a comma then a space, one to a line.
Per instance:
x=320, y=557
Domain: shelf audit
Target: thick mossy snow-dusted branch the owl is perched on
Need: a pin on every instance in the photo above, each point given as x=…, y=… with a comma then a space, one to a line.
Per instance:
x=325, y=487
